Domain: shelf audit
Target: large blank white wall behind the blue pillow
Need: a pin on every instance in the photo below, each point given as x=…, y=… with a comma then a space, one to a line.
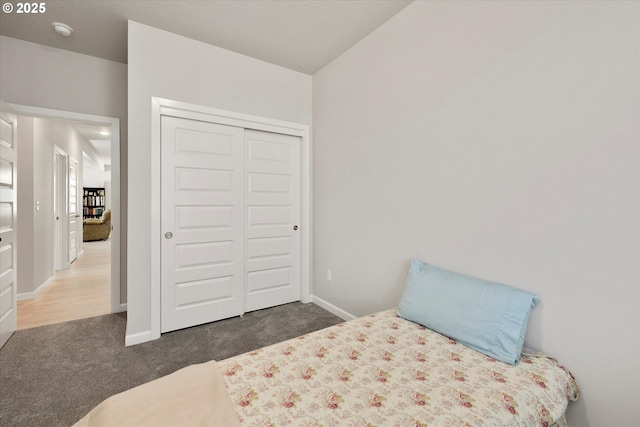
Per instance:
x=501, y=140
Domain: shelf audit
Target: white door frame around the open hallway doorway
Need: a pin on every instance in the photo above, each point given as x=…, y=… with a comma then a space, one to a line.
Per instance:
x=114, y=123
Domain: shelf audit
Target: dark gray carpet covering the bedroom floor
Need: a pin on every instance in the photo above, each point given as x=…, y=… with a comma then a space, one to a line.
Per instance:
x=53, y=375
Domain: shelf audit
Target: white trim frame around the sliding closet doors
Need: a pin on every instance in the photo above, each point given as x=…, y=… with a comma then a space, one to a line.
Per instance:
x=162, y=106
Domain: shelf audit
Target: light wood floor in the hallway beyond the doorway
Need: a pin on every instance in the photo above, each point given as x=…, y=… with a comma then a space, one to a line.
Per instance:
x=83, y=290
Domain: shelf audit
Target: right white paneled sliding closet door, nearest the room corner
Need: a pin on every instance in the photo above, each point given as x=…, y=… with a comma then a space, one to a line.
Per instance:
x=273, y=218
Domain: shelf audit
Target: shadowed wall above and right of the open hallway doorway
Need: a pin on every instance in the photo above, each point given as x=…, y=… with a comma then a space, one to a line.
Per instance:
x=40, y=76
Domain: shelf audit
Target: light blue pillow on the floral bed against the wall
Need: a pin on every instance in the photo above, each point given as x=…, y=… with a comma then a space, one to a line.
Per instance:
x=486, y=316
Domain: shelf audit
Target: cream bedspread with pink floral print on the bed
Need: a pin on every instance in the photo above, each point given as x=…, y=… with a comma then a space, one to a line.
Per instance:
x=382, y=370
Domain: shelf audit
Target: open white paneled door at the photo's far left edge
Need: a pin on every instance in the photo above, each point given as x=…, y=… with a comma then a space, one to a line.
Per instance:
x=8, y=233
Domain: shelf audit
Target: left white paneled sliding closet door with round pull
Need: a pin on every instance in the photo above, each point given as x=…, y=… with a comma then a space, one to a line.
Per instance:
x=202, y=220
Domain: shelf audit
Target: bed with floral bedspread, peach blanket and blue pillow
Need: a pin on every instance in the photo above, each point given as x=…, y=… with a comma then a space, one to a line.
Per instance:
x=392, y=368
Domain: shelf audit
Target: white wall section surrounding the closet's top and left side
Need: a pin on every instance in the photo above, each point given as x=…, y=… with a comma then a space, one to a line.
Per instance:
x=165, y=65
